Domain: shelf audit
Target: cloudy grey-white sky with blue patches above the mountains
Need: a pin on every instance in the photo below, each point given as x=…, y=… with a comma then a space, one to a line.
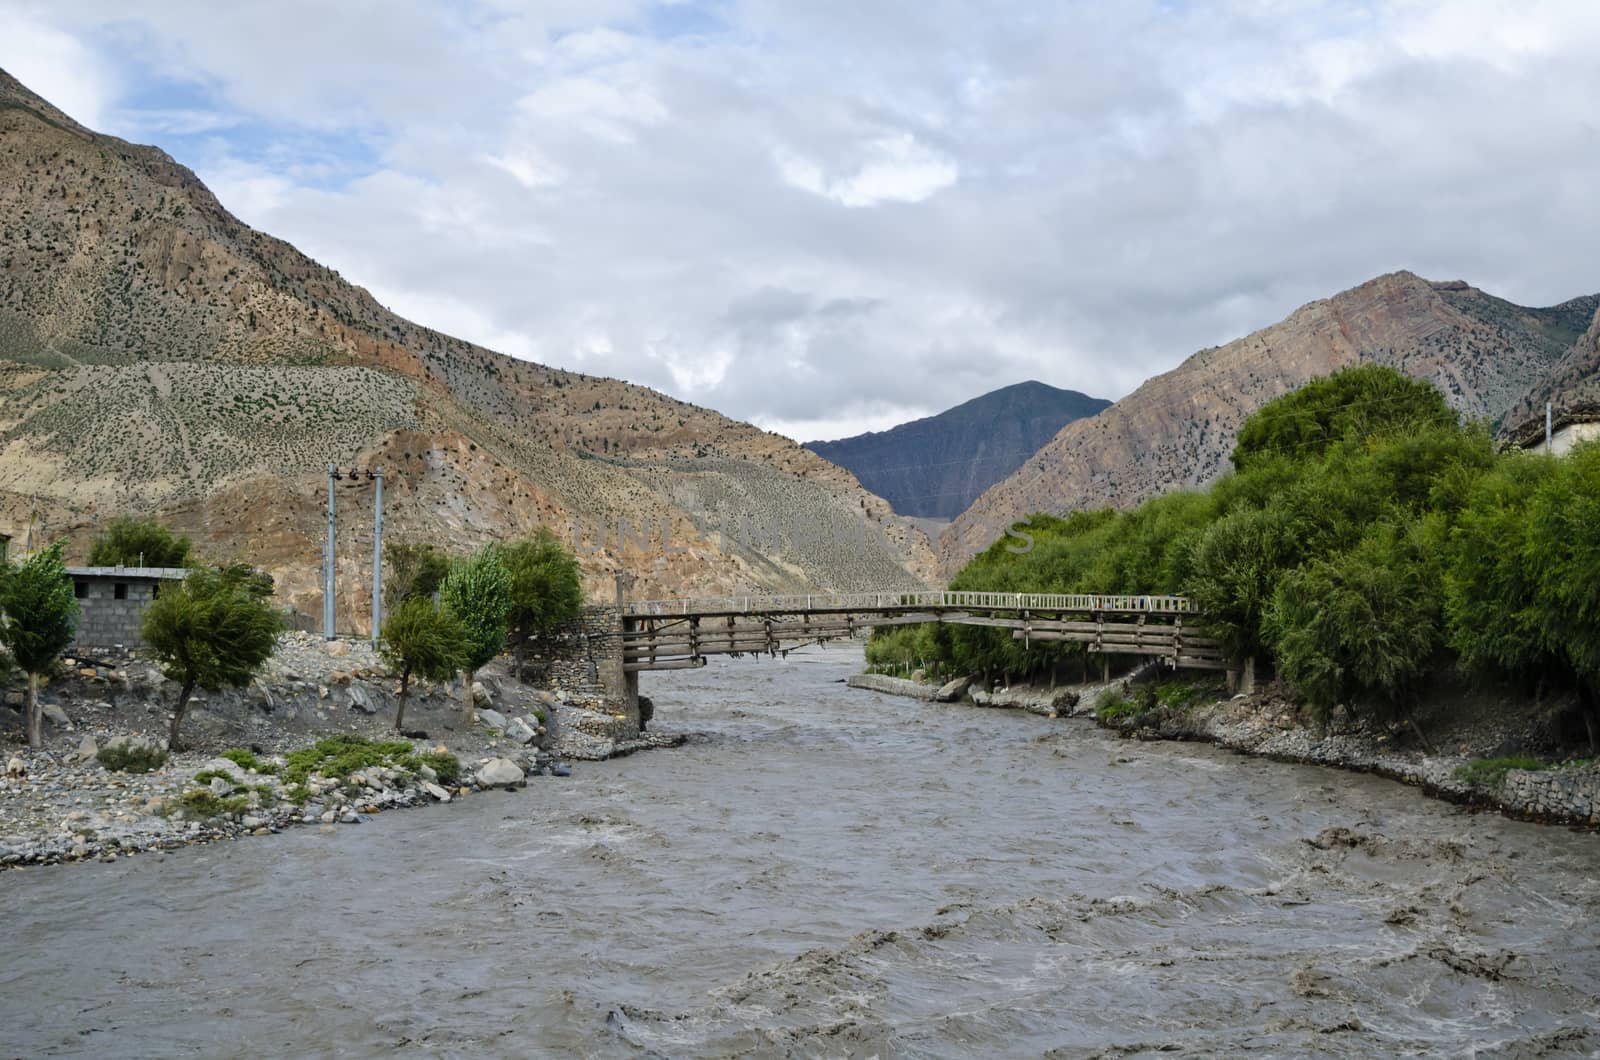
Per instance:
x=836, y=215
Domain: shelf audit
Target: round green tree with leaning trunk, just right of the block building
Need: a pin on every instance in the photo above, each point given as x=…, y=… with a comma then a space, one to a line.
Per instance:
x=214, y=630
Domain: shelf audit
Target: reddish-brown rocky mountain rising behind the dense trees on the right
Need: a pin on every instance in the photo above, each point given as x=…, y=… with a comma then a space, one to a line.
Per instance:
x=1178, y=428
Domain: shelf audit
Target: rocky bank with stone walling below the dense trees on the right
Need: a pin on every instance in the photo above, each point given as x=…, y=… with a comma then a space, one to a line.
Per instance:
x=1474, y=773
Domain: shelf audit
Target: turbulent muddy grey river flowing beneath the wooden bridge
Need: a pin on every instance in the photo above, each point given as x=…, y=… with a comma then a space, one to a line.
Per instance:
x=838, y=873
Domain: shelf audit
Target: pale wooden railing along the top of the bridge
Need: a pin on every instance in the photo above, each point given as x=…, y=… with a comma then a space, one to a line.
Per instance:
x=910, y=601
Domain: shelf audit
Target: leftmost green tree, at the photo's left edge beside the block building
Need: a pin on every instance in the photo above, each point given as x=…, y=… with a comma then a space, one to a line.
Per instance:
x=39, y=617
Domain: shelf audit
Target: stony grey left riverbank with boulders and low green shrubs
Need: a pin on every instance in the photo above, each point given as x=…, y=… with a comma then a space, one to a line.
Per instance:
x=313, y=742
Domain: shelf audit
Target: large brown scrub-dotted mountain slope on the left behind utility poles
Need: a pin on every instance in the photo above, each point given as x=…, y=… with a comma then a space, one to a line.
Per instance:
x=158, y=355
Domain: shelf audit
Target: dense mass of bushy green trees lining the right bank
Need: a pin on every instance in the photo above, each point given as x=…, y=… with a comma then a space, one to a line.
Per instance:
x=1364, y=539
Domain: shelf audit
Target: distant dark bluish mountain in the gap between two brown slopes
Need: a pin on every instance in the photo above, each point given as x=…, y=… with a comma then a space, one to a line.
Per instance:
x=935, y=468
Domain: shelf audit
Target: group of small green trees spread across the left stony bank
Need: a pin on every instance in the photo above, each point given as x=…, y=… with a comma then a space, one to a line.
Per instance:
x=218, y=627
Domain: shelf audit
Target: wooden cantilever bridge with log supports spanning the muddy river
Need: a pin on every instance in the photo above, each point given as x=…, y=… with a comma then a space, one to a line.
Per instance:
x=679, y=635
